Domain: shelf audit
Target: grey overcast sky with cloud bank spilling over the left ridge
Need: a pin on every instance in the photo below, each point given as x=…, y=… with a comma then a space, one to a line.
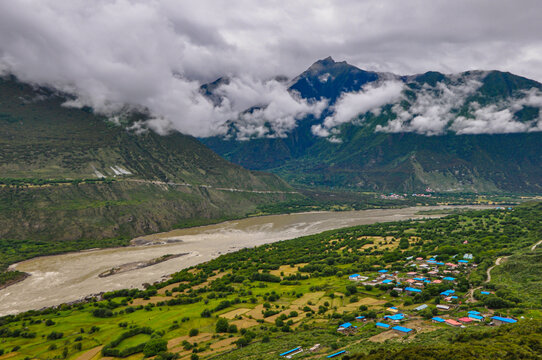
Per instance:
x=157, y=53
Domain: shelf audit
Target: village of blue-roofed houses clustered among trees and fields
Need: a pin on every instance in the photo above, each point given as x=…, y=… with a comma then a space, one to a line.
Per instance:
x=420, y=273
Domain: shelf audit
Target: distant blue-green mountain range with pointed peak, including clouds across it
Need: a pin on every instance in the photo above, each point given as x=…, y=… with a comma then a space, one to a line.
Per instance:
x=476, y=131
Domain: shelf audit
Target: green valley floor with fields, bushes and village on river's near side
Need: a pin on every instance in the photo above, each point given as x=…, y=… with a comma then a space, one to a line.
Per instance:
x=258, y=303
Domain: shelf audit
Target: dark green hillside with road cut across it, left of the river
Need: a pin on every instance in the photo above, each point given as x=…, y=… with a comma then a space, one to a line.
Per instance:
x=69, y=175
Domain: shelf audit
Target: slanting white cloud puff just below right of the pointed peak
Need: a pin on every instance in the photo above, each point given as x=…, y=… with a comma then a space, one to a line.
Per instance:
x=350, y=105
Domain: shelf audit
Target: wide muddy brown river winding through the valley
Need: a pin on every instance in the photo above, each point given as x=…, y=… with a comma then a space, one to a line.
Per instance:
x=64, y=278
